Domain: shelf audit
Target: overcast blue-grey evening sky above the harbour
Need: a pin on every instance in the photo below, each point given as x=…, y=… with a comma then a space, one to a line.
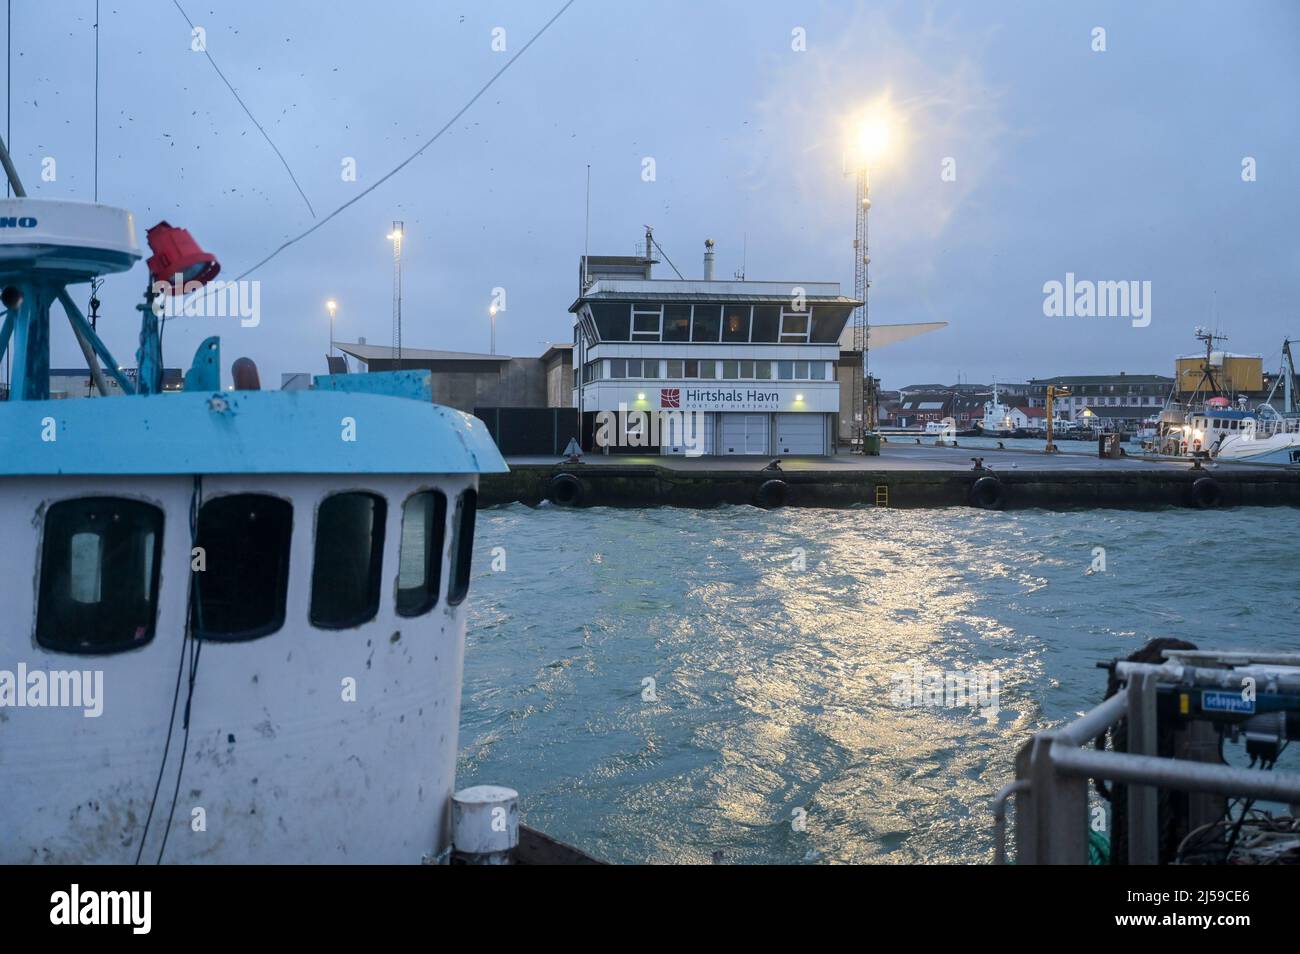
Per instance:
x=1125, y=164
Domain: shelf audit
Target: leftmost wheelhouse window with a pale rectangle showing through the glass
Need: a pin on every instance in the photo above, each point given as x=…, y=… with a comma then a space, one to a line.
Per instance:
x=99, y=575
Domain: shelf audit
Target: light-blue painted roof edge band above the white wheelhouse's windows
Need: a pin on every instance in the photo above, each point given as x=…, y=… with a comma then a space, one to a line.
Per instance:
x=244, y=432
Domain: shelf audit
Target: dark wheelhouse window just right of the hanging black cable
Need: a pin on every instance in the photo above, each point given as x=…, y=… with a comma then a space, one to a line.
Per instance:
x=240, y=595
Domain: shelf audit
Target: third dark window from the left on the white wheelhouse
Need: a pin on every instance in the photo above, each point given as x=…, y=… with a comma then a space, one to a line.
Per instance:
x=349, y=561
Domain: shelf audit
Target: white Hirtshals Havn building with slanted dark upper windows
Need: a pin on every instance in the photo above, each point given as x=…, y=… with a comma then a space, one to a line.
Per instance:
x=759, y=361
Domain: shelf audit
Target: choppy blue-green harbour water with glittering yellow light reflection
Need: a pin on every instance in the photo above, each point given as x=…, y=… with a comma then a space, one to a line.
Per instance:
x=774, y=684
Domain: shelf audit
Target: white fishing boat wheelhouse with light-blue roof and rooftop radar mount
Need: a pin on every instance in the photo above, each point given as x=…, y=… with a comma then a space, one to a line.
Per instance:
x=235, y=621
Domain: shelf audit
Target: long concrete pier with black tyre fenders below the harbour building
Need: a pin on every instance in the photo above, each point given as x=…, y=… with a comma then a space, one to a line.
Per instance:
x=903, y=476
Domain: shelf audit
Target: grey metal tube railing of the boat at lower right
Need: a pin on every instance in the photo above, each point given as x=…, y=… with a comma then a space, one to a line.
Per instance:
x=1054, y=771
